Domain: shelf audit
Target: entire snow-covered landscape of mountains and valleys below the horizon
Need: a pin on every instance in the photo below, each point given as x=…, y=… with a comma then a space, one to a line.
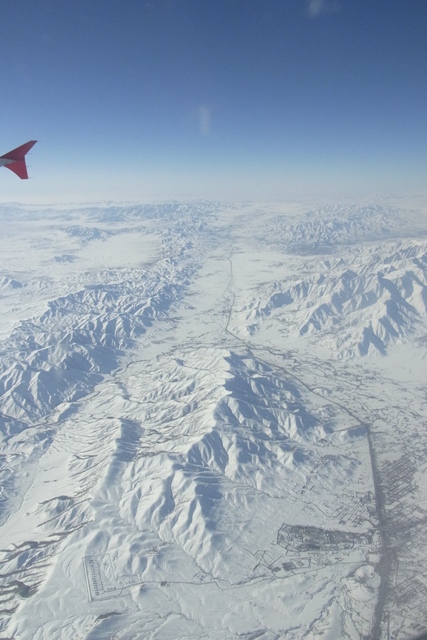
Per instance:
x=213, y=421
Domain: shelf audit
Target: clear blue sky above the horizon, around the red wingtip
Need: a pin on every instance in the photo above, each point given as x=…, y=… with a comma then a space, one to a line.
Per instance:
x=245, y=99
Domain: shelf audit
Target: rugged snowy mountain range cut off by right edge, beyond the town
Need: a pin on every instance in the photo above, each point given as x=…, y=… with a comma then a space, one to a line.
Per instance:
x=355, y=304
